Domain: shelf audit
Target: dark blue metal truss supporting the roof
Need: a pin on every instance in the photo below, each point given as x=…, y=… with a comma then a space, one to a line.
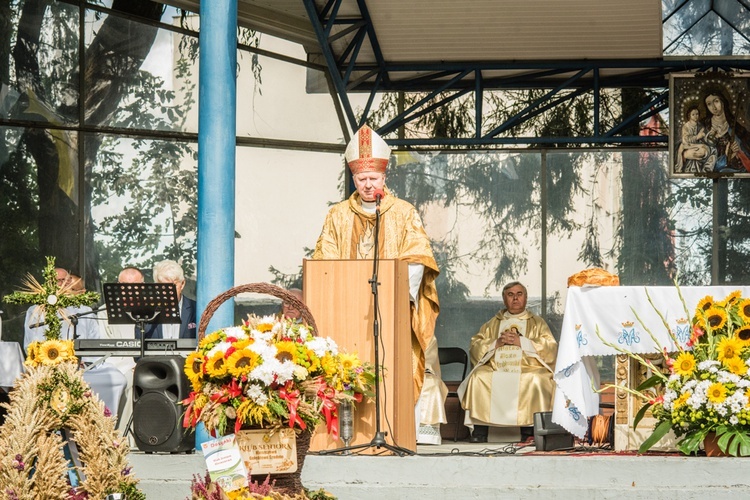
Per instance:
x=446, y=81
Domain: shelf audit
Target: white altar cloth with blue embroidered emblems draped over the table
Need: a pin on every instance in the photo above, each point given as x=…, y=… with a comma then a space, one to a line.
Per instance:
x=613, y=310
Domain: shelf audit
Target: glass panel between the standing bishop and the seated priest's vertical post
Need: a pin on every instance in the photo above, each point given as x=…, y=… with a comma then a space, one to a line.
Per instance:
x=482, y=211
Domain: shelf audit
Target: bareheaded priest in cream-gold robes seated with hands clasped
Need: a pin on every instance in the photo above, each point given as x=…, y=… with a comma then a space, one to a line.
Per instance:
x=513, y=357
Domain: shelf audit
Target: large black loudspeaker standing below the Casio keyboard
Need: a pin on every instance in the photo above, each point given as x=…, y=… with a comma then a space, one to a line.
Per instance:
x=159, y=384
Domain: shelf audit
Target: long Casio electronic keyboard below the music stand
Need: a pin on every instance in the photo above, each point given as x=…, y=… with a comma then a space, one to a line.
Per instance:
x=132, y=347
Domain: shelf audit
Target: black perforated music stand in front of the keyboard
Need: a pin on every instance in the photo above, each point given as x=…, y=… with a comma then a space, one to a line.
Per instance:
x=141, y=303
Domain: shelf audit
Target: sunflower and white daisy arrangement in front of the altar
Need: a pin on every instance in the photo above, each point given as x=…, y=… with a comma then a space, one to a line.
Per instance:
x=707, y=387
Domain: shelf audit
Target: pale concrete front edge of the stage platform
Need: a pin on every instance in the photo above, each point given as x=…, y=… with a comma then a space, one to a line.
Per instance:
x=481, y=471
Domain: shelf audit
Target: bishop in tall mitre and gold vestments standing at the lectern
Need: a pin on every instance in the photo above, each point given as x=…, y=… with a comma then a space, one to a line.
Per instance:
x=348, y=233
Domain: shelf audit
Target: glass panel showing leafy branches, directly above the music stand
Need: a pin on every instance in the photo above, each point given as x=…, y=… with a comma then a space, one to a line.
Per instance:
x=142, y=204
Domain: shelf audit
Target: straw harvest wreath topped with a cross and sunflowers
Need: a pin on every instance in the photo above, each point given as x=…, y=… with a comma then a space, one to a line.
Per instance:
x=52, y=407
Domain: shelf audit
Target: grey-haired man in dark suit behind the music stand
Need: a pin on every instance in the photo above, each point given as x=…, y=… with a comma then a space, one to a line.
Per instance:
x=169, y=271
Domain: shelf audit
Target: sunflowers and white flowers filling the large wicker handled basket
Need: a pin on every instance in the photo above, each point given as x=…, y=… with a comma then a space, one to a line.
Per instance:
x=271, y=372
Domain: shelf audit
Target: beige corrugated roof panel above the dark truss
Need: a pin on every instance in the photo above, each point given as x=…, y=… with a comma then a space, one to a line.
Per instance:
x=451, y=30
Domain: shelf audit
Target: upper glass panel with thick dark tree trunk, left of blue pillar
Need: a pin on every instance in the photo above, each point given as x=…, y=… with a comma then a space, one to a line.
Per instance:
x=138, y=75
